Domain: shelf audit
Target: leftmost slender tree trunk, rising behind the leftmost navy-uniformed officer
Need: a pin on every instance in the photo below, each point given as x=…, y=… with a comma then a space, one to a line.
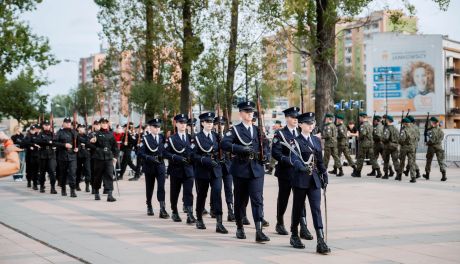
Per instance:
x=149, y=41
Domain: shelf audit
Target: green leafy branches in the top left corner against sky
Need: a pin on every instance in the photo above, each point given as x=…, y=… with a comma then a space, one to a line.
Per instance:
x=19, y=46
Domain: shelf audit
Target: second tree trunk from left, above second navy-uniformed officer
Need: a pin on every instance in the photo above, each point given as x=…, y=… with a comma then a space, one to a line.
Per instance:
x=186, y=56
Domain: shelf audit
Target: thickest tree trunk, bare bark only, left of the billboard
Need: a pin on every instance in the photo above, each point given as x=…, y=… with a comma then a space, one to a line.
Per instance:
x=323, y=57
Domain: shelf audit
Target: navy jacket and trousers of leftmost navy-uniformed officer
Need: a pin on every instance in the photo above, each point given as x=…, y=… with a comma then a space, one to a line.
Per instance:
x=152, y=153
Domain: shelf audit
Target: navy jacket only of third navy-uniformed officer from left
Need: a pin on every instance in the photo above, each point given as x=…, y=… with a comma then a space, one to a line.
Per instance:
x=206, y=151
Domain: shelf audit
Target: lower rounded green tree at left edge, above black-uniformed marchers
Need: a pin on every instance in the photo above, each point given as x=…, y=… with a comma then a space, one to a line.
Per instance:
x=23, y=102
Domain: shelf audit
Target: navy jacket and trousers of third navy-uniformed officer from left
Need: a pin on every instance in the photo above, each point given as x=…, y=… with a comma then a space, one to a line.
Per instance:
x=208, y=172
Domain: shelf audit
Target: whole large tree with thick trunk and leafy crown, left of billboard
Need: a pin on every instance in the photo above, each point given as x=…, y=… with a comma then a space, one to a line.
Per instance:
x=313, y=23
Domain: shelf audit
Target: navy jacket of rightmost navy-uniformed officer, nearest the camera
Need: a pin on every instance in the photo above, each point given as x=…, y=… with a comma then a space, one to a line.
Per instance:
x=301, y=179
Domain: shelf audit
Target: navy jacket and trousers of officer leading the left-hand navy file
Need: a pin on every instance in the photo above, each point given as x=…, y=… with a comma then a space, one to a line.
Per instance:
x=247, y=170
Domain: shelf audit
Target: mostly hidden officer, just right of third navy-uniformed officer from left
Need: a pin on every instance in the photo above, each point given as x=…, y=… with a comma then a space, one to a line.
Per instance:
x=226, y=163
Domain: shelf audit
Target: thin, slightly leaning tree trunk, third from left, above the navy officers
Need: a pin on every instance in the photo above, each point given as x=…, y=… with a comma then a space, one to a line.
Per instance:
x=231, y=67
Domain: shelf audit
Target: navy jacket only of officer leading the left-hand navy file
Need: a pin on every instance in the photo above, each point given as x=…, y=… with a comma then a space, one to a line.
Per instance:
x=242, y=166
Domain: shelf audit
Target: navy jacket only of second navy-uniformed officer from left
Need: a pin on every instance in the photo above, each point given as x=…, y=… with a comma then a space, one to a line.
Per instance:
x=175, y=150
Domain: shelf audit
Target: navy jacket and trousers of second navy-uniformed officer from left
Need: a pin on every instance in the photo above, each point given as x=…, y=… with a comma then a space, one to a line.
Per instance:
x=180, y=168
